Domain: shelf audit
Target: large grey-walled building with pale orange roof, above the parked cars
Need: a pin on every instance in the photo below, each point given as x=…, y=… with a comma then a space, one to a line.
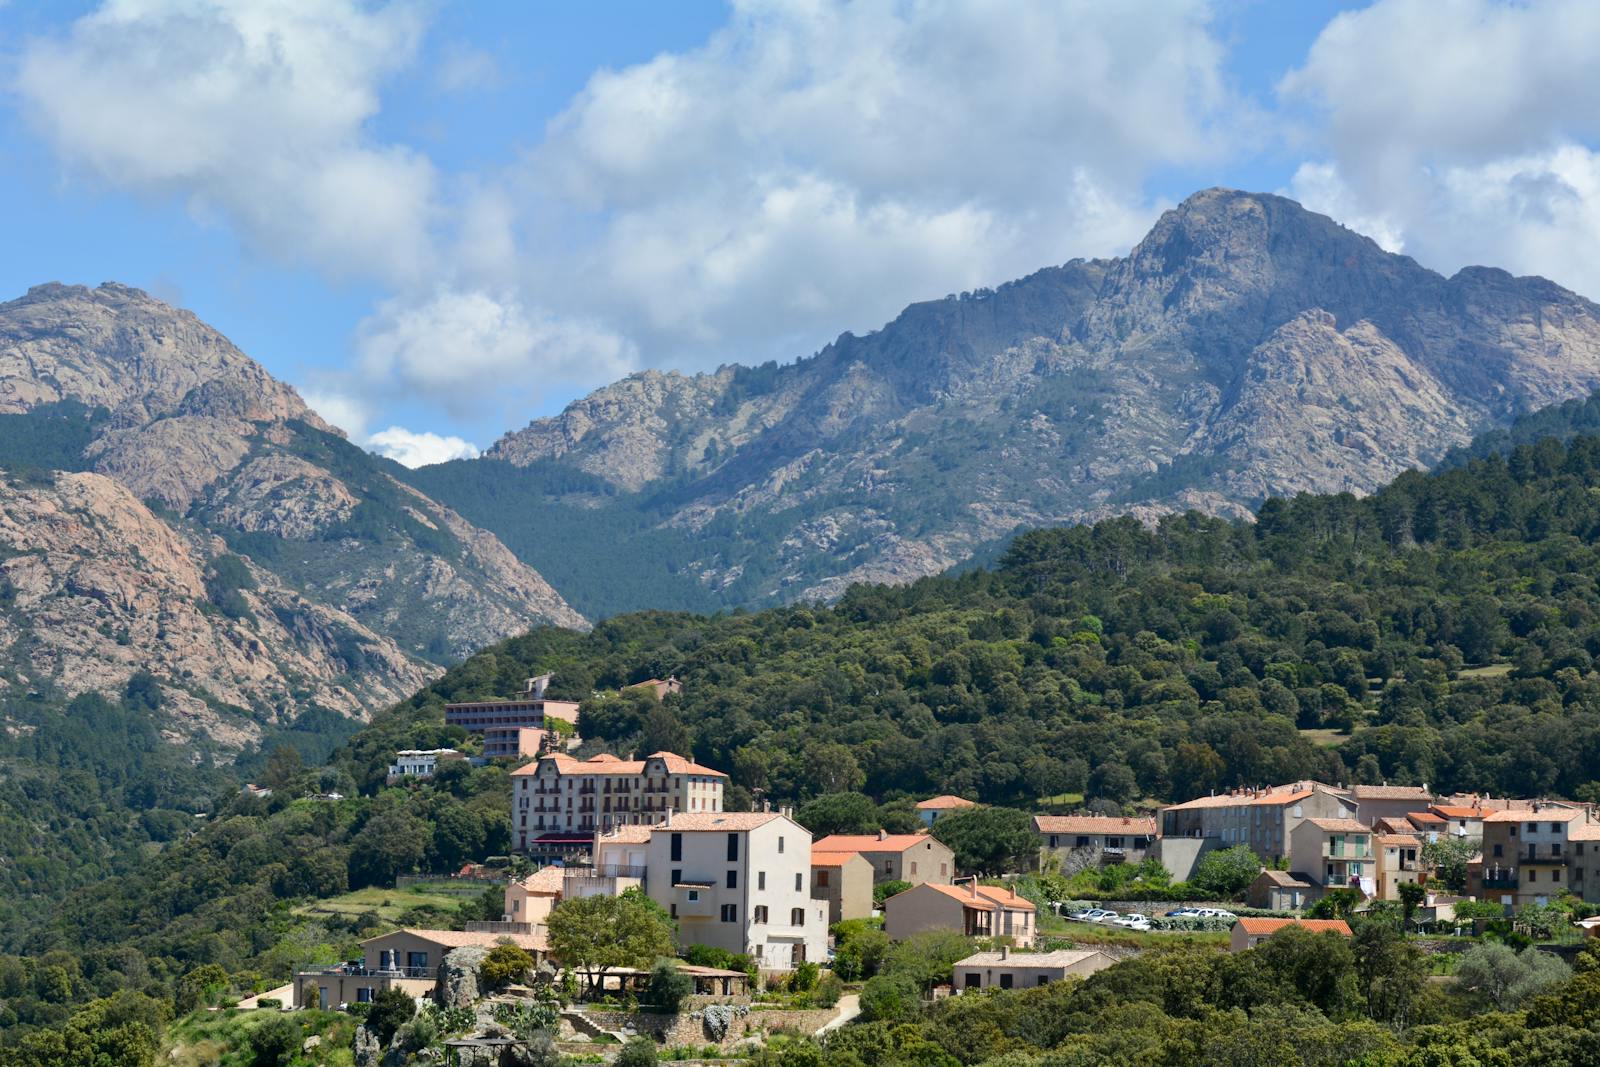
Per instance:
x=1265, y=820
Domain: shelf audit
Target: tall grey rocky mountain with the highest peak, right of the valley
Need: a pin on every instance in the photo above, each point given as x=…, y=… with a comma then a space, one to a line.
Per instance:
x=1244, y=348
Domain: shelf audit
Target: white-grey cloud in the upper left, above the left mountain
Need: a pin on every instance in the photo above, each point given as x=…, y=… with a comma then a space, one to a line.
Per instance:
x=252, y=111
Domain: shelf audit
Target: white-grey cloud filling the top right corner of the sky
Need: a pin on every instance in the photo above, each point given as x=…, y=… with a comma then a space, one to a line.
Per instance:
x=1460, y=132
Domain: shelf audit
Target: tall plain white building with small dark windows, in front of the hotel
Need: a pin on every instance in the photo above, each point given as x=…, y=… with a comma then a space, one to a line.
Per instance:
x=740, y=882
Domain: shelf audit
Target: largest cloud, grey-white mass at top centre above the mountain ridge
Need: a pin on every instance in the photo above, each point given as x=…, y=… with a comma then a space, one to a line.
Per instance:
x=817, y=167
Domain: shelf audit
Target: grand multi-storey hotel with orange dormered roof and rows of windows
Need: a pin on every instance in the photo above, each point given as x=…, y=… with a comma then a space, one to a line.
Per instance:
x=561, y=802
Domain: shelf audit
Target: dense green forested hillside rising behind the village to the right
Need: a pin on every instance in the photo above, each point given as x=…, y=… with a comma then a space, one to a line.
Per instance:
x=1439, y=631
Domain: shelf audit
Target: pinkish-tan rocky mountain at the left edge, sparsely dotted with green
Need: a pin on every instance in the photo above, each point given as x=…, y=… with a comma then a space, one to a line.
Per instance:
x=343, y=586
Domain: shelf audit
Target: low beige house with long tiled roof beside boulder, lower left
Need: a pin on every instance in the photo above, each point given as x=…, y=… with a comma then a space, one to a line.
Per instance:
x=406, y=959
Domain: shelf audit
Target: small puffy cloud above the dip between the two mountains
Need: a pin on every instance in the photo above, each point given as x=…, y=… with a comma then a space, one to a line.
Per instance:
x=470, y=351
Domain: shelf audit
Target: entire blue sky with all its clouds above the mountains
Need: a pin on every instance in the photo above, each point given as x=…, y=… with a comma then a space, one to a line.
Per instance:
x=444, y=220
